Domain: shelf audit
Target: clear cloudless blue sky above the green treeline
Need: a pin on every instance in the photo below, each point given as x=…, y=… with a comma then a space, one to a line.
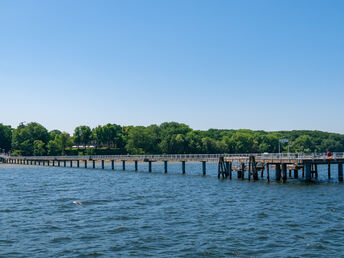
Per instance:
x=262, y=65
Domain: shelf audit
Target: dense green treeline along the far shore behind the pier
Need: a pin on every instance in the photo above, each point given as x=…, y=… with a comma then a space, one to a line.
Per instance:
x=170, y=137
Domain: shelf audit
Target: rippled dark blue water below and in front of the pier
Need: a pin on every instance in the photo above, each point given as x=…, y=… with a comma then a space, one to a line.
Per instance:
x=46, y=211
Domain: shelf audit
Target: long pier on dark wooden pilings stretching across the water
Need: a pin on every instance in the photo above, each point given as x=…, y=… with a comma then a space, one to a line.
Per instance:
x=244, y=165
